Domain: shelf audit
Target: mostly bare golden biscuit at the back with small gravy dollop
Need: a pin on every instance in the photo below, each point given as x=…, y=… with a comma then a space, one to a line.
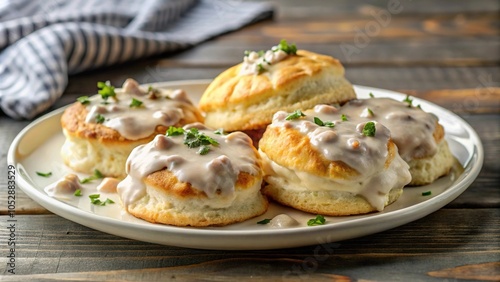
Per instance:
x=239, y=100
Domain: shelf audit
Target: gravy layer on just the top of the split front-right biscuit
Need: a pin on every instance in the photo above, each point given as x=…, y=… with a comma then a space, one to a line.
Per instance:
x=340, y=140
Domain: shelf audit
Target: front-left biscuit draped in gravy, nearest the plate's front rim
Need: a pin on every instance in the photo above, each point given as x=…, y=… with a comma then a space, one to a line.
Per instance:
x=168, y=182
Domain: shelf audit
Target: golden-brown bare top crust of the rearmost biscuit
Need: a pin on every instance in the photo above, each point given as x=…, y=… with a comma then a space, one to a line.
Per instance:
x=231, y=89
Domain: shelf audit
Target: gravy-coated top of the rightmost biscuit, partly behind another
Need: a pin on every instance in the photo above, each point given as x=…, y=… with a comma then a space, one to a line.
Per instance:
x=415, y=132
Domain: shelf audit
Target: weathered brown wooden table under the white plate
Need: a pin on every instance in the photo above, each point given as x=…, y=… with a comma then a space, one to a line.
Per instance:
x=447, y=53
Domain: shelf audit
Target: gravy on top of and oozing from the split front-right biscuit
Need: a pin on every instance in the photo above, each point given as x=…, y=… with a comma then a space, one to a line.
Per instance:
x=345, y=142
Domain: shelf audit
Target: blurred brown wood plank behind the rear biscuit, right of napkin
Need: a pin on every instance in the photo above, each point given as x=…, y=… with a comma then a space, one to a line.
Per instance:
x=440, y=40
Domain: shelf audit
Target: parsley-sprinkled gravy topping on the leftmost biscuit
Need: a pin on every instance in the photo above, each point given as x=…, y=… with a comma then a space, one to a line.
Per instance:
x=158, y=107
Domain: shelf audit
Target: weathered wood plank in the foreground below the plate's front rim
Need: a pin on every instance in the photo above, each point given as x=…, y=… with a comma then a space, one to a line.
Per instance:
x=449, y=238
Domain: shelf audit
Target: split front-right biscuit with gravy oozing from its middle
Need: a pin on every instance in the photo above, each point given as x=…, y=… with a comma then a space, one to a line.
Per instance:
x=323, y=164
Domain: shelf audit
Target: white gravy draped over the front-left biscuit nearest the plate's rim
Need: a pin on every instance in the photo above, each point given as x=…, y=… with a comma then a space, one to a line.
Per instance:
x=214, y=173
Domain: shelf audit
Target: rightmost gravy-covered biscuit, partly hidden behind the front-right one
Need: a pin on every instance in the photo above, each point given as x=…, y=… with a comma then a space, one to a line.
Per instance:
x=418, y=135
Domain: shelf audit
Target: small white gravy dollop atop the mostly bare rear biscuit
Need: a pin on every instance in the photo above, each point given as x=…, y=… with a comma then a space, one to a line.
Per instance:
x=255, y=63
